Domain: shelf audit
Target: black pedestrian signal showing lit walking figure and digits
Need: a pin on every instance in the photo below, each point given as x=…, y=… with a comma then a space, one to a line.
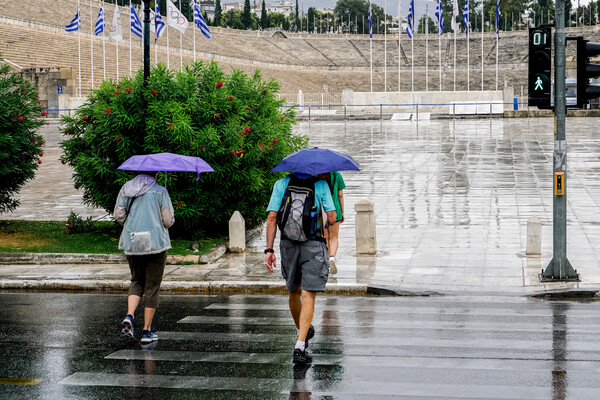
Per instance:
x=540, y=67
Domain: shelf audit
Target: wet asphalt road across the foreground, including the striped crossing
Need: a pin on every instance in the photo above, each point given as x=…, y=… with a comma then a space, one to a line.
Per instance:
x=240, y=346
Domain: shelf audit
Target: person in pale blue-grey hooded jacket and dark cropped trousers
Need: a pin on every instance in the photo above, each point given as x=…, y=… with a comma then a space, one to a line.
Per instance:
x=145, y=210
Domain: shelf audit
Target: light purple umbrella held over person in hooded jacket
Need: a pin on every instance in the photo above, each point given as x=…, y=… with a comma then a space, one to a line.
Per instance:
x=167, y=162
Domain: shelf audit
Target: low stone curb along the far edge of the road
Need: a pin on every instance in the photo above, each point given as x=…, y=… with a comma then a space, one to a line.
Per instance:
x=191, y=287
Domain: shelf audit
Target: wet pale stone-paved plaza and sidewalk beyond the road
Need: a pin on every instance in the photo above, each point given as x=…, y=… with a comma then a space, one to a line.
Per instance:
x=452, y=199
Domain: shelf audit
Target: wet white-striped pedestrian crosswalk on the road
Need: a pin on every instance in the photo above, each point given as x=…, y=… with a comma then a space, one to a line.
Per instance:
x=444, y=347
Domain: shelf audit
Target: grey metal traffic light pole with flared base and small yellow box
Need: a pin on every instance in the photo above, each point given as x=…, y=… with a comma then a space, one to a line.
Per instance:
x=559, y=268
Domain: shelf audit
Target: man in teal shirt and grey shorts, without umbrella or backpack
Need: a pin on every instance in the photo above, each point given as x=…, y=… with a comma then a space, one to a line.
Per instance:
x=304, y=265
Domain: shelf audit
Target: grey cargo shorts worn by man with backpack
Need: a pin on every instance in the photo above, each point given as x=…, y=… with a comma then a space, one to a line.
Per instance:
x=305, y=264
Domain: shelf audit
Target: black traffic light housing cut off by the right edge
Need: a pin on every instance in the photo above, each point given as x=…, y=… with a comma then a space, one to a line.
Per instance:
x=585, y=71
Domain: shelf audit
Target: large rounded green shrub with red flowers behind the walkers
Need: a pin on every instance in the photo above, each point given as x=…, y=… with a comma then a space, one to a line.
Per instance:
x=233, y=122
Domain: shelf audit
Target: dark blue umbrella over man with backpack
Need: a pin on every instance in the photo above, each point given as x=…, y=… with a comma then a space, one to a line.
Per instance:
x=316, y=161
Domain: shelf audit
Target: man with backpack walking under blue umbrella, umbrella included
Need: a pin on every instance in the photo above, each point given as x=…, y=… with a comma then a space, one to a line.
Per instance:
x=297, y=205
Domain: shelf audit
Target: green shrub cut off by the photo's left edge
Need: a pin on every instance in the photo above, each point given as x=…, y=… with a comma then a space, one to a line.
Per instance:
x=21, y=148
